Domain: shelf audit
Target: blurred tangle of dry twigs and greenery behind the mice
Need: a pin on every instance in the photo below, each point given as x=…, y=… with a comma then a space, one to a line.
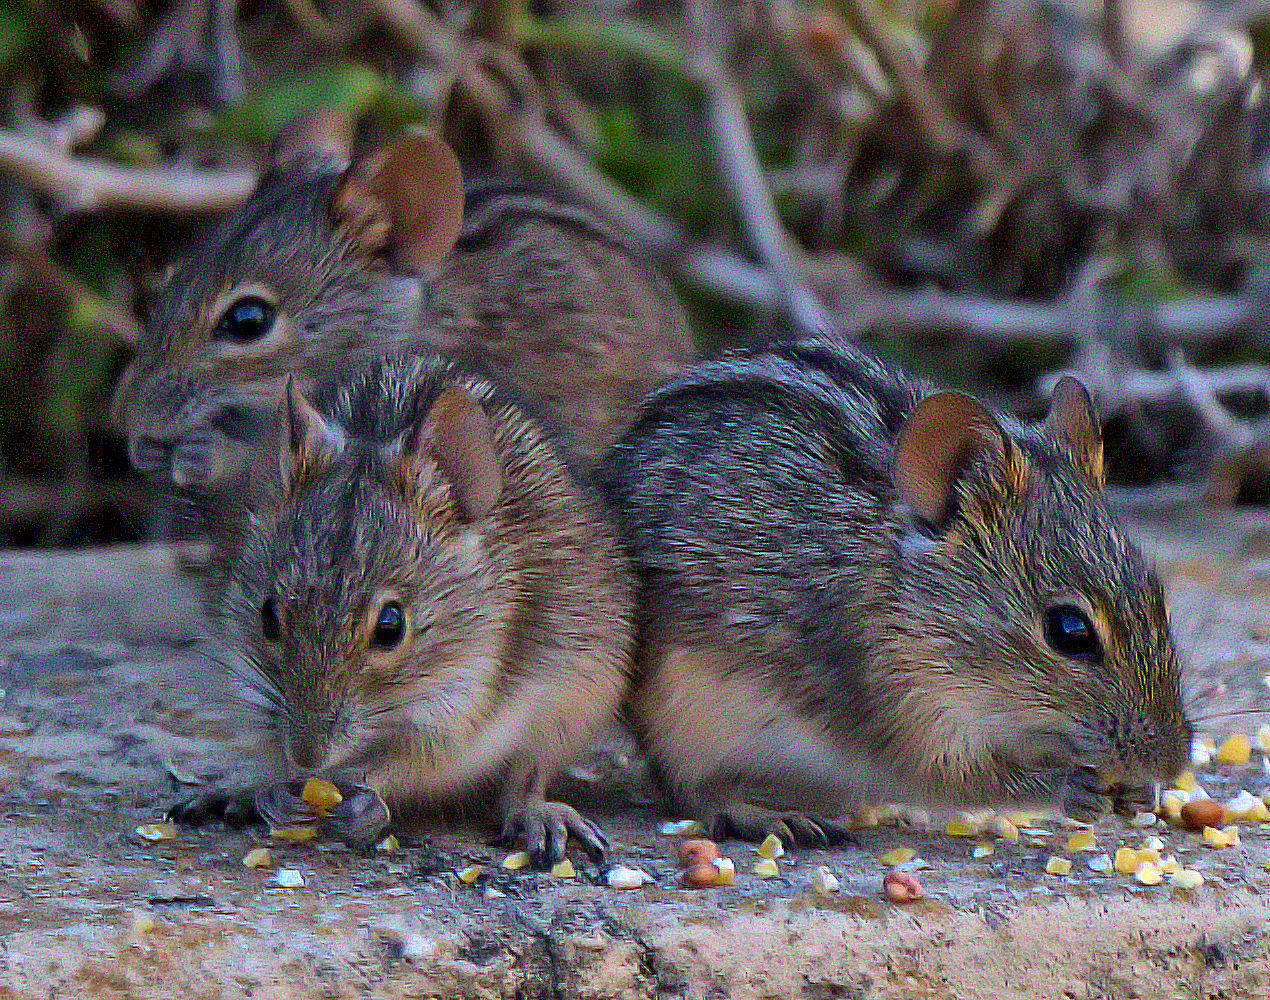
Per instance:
x=956, y=185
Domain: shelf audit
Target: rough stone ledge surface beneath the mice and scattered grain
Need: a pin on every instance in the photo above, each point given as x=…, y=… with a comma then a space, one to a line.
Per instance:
x=112, y=703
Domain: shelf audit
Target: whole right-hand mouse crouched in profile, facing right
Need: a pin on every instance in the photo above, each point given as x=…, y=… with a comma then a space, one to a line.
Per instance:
x=848, y=590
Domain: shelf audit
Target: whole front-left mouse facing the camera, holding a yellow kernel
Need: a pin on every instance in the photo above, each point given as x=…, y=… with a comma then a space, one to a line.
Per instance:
x=519, y=613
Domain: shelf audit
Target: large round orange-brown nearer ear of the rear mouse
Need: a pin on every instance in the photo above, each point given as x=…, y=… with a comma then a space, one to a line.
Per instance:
x=404, y=199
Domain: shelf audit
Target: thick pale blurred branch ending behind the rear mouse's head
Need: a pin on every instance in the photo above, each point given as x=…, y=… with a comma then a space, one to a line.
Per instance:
x=82, y=185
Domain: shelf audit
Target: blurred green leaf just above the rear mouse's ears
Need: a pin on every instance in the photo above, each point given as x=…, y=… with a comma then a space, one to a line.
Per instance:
x=354, y=88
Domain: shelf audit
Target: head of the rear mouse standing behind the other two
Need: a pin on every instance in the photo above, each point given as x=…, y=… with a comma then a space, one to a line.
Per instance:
x=324, y=259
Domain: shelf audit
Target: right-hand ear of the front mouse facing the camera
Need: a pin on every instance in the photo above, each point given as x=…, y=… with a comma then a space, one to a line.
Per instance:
x=455, y=443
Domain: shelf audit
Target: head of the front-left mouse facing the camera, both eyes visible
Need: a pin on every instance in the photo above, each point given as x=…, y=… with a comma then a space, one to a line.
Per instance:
x=368, y=607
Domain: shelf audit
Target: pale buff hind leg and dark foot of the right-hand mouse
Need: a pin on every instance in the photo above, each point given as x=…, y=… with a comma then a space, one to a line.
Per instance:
x=718, y=735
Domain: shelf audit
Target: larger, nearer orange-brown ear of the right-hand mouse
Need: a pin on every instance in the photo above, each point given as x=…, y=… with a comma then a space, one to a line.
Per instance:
x=944, y=436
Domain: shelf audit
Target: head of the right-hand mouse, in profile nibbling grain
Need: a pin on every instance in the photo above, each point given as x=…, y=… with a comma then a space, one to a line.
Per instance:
x=1029, y=639
